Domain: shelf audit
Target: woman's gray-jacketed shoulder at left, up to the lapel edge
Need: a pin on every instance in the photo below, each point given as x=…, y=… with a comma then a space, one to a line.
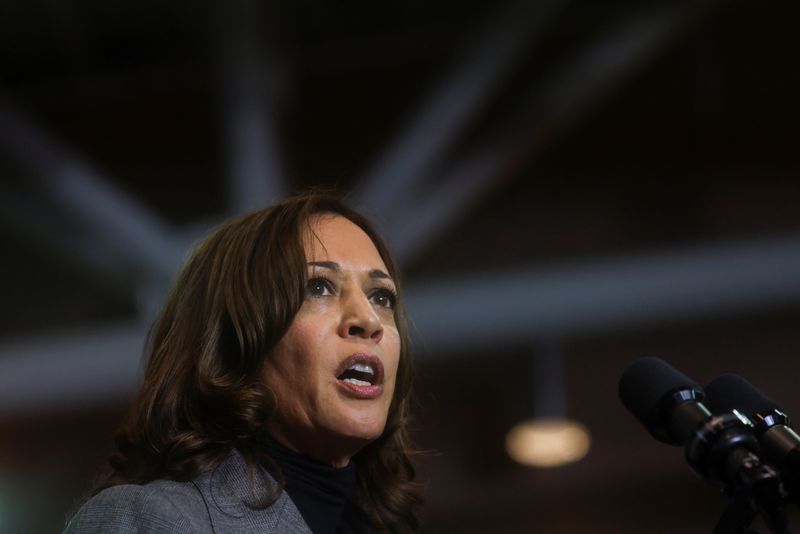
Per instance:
x=155, y=507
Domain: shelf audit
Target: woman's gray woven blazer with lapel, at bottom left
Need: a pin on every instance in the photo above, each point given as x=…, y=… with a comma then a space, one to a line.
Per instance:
x=212, y=503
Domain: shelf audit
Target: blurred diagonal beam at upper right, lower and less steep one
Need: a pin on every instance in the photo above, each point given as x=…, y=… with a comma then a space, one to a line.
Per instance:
x=600, y=69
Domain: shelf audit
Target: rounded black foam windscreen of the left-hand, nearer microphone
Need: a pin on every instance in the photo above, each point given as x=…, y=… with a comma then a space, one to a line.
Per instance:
x=643, y=388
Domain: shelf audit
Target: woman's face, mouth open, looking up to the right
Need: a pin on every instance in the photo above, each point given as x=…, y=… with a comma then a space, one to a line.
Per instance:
x=333, y=373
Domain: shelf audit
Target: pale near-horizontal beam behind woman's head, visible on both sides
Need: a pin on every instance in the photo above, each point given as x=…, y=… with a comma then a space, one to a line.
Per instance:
x=486, y=311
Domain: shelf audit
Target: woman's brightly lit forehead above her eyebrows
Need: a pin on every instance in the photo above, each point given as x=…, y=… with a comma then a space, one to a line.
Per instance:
x=336, y=238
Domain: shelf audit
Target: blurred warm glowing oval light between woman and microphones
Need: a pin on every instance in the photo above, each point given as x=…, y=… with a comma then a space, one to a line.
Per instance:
x=547, y=442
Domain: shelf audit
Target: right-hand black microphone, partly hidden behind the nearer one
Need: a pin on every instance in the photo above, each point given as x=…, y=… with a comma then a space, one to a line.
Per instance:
x=779, y=442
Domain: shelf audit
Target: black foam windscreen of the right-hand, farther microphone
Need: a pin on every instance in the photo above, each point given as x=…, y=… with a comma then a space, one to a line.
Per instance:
x=730, y=391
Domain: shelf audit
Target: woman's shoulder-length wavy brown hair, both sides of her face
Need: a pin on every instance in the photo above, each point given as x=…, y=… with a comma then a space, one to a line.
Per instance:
x=203, y=393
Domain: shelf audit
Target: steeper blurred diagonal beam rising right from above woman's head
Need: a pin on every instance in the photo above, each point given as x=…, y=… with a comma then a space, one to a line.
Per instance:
x=397, y=174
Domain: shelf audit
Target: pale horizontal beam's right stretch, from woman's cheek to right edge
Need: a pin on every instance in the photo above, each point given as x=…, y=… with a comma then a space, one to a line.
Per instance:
x=494, y=309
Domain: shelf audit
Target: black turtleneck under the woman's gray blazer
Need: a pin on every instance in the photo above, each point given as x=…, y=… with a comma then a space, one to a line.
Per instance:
x=322, y=493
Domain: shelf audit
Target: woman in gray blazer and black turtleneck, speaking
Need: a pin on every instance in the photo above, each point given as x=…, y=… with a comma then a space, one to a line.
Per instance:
x=276, y=390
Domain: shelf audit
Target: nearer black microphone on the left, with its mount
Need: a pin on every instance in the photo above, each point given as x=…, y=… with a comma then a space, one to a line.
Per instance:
x=721, y=448
